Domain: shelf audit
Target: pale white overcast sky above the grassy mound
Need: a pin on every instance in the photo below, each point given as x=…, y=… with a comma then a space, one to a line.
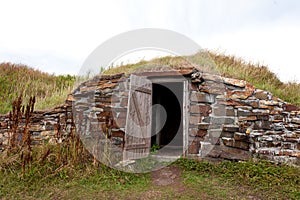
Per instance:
x=56, y=36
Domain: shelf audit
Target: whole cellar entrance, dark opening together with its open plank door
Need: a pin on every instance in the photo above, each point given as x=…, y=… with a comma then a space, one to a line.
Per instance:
x=150, y=99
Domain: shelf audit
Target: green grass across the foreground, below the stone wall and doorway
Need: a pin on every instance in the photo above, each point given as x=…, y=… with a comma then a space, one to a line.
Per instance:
x=65, y=179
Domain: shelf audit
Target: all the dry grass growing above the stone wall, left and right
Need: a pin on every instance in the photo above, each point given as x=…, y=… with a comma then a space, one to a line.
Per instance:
x=51, y=90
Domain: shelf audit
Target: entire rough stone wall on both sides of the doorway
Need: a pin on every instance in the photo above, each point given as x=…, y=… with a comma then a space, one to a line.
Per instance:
x=229, y=118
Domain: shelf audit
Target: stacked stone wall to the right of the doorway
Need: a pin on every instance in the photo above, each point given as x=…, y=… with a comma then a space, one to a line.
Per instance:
x=231, y=119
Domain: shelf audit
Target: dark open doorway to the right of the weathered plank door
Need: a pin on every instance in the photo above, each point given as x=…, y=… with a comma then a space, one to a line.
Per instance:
x=167, y=117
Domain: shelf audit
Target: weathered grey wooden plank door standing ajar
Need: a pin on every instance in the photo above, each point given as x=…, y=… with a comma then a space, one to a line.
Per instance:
x=138, y=123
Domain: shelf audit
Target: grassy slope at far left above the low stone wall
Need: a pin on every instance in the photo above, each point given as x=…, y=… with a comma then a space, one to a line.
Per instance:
x=17, y=79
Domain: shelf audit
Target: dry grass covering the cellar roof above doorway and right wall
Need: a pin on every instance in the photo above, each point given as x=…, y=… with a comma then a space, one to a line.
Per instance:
x=228, y=66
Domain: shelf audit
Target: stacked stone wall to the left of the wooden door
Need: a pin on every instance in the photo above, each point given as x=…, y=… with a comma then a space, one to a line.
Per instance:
x=96, y=108
